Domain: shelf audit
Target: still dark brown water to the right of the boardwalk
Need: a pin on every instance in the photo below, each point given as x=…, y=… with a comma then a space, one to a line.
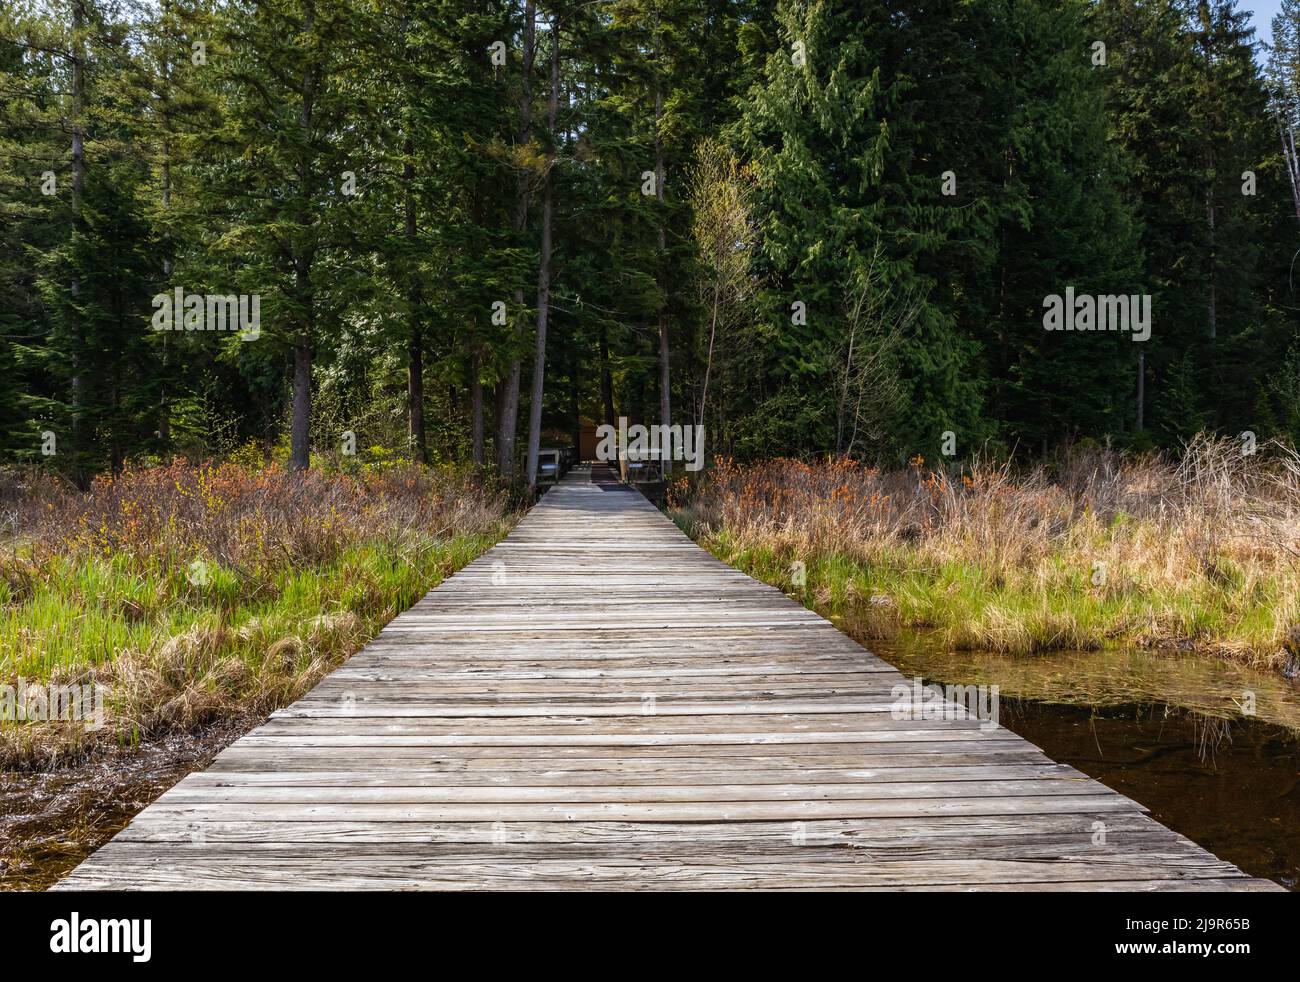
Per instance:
x=1167, y=729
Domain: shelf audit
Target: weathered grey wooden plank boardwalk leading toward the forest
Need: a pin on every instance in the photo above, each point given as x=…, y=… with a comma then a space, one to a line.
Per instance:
x=597, y=703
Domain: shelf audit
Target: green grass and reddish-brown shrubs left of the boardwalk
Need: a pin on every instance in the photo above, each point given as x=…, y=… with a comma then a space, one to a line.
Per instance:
x=196, y=592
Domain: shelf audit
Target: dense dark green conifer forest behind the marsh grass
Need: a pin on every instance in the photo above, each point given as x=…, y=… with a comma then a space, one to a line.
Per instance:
x=466, y=227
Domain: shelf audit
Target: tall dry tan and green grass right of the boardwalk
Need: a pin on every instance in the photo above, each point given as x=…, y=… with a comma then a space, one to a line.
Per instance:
x=1098, y=551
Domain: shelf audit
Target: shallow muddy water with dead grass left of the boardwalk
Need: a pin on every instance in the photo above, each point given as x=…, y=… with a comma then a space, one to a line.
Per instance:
x=51, y=821
